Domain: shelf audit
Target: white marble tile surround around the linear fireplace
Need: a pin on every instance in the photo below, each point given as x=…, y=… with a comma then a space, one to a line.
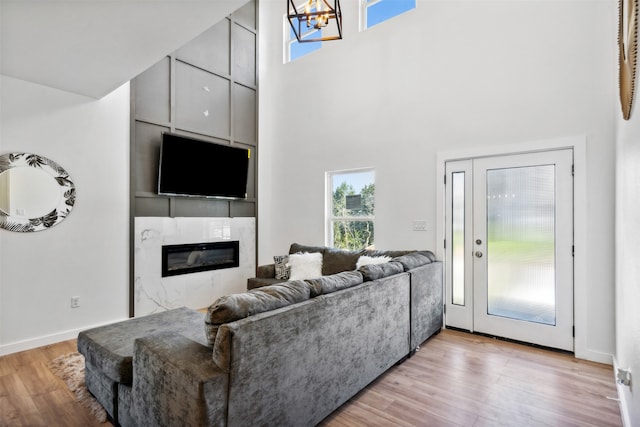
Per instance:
x=154, y=293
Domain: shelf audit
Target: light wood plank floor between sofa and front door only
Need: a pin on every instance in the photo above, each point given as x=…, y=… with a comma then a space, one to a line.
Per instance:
x=460, y=379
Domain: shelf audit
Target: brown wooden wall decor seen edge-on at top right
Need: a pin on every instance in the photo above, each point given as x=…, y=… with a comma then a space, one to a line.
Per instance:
x=627, y=53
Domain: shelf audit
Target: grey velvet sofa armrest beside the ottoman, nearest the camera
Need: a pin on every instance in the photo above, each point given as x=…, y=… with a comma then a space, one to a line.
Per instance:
x=176, y=382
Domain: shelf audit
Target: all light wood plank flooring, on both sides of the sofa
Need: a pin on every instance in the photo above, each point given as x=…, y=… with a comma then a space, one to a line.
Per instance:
x=456, y=379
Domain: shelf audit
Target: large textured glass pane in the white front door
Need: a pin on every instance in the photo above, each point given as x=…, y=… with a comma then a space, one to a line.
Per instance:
x=521, y=243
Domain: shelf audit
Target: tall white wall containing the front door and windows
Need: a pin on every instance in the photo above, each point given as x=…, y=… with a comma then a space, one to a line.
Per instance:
x=450, y=75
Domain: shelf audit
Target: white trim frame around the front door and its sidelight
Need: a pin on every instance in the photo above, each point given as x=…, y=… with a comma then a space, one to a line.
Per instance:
x=579, y=146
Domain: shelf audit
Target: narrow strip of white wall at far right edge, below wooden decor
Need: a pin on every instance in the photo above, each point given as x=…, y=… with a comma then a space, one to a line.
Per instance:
x=627, y=265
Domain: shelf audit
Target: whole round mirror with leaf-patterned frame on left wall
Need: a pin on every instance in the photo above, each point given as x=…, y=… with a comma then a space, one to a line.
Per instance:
x=35, y=192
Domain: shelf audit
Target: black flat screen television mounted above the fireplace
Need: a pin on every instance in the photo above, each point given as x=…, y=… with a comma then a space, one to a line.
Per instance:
x=194, y=168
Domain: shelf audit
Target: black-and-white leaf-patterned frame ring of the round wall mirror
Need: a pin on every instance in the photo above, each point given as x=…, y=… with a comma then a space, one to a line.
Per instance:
x=67, y=192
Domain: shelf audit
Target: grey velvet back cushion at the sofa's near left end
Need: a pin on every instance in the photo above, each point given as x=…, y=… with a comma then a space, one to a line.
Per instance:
x=234, y=307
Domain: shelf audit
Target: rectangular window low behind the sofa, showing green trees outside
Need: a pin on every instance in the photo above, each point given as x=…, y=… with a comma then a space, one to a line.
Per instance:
x=351, y=209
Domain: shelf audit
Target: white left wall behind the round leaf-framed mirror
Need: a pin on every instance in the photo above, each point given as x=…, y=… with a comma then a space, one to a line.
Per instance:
x=87, y=254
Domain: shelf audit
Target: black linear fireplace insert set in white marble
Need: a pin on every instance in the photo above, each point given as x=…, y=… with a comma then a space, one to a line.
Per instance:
x=191, y=258
